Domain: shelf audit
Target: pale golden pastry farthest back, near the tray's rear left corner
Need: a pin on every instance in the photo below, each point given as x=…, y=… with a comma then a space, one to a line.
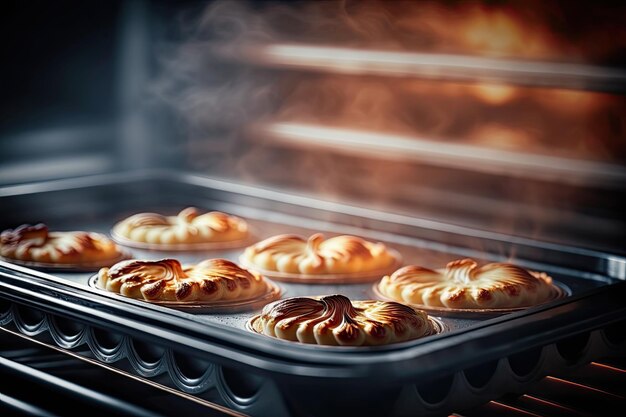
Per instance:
x=190, y=226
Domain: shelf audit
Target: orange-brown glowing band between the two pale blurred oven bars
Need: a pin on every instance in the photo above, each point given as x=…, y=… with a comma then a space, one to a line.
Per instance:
x=556, y=122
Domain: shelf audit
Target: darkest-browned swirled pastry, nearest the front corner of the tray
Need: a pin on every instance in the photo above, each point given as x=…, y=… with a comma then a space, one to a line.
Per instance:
x=335, y=320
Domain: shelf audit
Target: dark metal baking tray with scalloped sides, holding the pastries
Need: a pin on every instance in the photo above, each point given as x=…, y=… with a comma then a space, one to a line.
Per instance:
x=214, y=355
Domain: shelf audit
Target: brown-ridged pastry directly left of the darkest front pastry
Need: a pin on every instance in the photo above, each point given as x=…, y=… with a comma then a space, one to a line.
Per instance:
x=166, y=280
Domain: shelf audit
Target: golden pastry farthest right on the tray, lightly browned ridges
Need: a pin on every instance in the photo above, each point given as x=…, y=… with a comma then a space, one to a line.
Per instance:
x=464, y=285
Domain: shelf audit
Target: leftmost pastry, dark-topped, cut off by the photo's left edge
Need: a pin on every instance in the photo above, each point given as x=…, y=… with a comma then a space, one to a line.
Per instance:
x=35, y=243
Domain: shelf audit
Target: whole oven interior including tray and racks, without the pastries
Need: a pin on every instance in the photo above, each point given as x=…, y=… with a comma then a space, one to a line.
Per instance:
x=446, y=130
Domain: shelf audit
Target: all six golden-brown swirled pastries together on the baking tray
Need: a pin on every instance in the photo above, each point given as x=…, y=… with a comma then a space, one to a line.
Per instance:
x=404, y=291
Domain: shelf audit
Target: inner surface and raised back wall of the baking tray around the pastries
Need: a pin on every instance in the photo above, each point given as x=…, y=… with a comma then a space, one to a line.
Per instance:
x=97, y=205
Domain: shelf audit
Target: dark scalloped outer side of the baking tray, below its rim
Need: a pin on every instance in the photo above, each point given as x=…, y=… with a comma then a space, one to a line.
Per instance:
x=254, y=395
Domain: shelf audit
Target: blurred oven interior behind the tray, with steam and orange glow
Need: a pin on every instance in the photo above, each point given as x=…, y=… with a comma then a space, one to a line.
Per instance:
x=505, y=116
